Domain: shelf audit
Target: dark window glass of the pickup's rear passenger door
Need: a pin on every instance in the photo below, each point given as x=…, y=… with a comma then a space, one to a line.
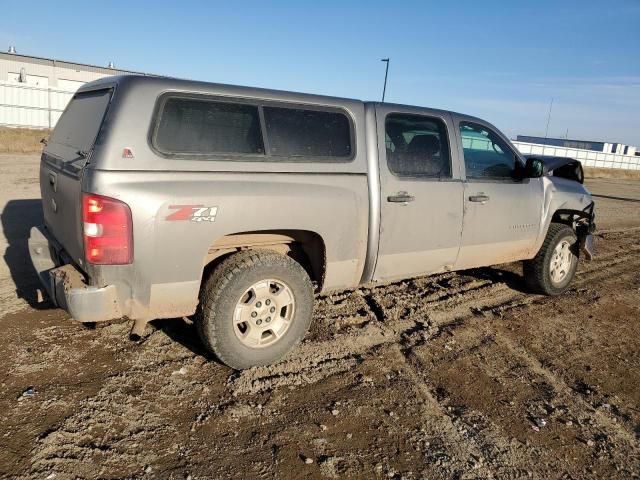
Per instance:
x=417, y=146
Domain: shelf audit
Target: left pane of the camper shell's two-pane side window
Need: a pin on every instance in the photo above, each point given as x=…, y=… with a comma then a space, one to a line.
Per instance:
x=201, y=126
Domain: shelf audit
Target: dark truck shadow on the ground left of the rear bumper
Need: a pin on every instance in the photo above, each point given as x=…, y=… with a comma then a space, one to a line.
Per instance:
x=18, y=217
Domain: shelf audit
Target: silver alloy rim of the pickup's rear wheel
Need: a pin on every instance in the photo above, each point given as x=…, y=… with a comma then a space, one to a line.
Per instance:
x=264, y=313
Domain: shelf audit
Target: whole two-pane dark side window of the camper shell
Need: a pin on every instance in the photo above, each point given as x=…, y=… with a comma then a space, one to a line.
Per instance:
x=202, y=127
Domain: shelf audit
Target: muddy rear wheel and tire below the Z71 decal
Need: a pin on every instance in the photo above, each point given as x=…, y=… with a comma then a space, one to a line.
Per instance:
x=265, y=283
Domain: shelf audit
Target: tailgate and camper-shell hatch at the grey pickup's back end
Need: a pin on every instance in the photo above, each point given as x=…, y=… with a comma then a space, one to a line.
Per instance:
x=62, y=164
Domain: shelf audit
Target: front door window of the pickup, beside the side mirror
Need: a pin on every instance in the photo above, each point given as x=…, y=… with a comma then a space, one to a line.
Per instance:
x=486, y=155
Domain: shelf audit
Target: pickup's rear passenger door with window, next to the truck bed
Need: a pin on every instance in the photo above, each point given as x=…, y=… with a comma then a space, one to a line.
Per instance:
x=421, y=192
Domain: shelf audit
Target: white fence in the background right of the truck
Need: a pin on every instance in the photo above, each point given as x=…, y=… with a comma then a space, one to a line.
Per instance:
x=589, y=158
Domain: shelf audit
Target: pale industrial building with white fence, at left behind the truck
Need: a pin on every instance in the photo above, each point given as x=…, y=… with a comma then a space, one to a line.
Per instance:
x=34, y=91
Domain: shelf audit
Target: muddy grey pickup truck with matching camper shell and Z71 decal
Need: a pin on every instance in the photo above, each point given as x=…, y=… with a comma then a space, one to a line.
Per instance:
x=168, y=198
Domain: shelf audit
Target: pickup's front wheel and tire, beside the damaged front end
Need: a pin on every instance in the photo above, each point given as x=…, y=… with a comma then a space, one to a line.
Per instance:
x=545, y=273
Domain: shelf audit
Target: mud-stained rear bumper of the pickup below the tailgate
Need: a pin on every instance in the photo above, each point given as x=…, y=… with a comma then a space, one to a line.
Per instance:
x=66, y=286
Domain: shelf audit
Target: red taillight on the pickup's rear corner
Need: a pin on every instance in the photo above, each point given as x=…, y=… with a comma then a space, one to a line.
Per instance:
x=107, y=230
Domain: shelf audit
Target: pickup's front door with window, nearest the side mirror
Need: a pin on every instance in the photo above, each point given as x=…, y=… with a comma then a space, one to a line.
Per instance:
x=501, y=212
